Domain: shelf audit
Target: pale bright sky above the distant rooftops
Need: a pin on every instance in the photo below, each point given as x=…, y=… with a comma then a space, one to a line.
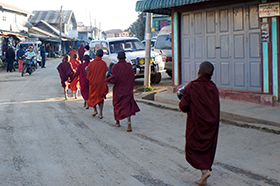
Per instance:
x=104, y=14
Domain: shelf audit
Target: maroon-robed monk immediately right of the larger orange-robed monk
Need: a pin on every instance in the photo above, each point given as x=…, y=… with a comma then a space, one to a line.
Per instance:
x=123, y=101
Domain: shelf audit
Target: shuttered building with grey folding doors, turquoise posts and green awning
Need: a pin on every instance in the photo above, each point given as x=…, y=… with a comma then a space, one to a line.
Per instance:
x=241, y=38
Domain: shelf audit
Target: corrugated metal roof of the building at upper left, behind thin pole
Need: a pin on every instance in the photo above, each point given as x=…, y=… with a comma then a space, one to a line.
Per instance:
x=51, y=16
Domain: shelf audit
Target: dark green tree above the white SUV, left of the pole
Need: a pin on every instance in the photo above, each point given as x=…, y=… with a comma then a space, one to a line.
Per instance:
x=137, y=28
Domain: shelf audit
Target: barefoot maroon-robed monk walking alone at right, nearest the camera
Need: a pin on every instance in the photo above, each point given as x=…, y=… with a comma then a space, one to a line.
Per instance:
x=201, y=102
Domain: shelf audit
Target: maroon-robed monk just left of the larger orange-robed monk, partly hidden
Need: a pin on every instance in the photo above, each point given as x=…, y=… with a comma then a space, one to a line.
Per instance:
x=84, y=83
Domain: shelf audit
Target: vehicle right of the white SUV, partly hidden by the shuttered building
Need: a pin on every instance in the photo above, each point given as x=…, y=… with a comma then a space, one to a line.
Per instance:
x=163, y=46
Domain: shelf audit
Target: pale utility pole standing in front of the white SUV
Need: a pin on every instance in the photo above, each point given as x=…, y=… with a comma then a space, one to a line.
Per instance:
x=147, y=72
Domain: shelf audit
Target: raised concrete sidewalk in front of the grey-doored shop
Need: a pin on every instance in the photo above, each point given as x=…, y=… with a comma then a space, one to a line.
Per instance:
x=238, y=113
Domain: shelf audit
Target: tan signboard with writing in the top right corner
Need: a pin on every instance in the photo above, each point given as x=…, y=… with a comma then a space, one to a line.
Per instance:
x=269, y=9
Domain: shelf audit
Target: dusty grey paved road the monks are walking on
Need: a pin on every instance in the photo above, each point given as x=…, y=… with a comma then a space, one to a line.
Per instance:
x=45, y=140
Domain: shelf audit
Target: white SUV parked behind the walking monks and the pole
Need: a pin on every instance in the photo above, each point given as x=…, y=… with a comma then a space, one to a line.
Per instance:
x=135, y=54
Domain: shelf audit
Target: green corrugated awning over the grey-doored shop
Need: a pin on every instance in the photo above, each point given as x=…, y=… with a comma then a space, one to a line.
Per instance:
x=162, y=6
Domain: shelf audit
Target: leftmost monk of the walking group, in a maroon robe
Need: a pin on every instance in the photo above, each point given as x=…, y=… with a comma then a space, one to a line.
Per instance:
x=66, y=73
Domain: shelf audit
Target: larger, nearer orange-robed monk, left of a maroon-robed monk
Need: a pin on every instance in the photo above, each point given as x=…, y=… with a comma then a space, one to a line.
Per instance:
x=98, y=87
